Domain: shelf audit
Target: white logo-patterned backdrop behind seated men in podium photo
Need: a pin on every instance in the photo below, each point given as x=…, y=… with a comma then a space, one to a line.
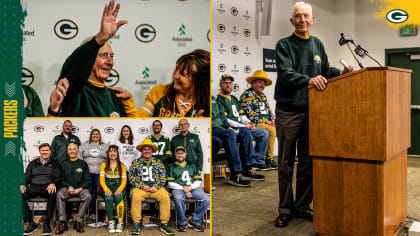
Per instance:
x=233, y=42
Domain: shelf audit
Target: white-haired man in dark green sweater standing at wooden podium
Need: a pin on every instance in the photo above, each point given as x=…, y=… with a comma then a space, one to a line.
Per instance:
x=301, y=61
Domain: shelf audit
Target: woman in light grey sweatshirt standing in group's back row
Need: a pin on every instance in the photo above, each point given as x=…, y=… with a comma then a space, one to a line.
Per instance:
x=93, y=152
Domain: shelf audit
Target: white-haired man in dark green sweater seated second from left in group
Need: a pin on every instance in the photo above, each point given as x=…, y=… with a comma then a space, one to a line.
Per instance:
x=76, y=181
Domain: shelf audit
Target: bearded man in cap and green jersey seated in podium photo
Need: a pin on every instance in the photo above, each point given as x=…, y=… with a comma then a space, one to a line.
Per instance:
x=237, y=119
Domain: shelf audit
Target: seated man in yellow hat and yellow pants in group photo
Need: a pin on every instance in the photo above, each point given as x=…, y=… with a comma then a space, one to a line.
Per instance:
x=147, y=178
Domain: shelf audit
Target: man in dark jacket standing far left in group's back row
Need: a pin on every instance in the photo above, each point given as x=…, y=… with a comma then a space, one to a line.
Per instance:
x=61, y=142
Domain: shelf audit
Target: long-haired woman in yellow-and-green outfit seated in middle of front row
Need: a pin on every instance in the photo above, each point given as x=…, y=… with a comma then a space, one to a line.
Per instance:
x=113, y=180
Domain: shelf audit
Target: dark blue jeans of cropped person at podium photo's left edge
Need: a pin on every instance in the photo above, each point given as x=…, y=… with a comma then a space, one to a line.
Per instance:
x=228, y=138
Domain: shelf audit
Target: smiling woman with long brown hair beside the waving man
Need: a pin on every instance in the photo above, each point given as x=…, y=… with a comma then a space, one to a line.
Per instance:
x=189, y=93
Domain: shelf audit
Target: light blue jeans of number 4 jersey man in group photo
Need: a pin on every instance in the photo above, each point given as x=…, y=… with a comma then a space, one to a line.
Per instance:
x=203, y=203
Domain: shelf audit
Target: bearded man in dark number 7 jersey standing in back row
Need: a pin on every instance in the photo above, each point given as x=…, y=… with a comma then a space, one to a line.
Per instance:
x=164, y=145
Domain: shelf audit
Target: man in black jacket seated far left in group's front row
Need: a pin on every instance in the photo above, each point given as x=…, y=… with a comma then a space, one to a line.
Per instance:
x=42, y=178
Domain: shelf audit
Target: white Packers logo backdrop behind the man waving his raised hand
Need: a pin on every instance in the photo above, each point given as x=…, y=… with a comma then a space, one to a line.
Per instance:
x=146, y=49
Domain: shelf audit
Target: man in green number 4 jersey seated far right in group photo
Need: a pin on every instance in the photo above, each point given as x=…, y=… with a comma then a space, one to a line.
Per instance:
x=185, y=182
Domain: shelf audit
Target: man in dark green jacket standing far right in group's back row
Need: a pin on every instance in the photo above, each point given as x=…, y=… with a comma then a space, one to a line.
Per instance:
x=191, y=143
